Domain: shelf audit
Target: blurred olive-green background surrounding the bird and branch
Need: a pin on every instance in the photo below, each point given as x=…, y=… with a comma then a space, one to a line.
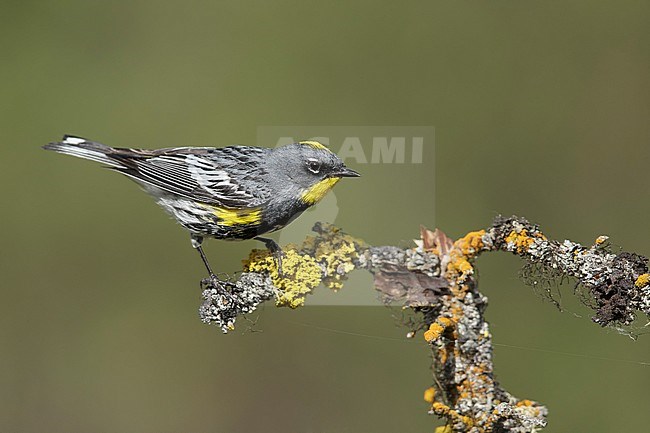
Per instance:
x=540, y=109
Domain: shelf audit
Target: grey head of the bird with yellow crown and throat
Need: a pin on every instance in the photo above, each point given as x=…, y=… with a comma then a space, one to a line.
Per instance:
x=309, y=169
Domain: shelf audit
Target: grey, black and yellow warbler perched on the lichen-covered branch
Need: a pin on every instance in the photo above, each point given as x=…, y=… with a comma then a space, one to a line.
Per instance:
x=231, y=193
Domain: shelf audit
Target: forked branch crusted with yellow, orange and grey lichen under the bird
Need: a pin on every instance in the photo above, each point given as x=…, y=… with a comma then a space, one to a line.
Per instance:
x=436, y=280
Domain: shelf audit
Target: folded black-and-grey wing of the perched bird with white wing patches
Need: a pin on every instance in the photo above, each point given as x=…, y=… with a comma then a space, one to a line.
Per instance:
x=230, y=177
